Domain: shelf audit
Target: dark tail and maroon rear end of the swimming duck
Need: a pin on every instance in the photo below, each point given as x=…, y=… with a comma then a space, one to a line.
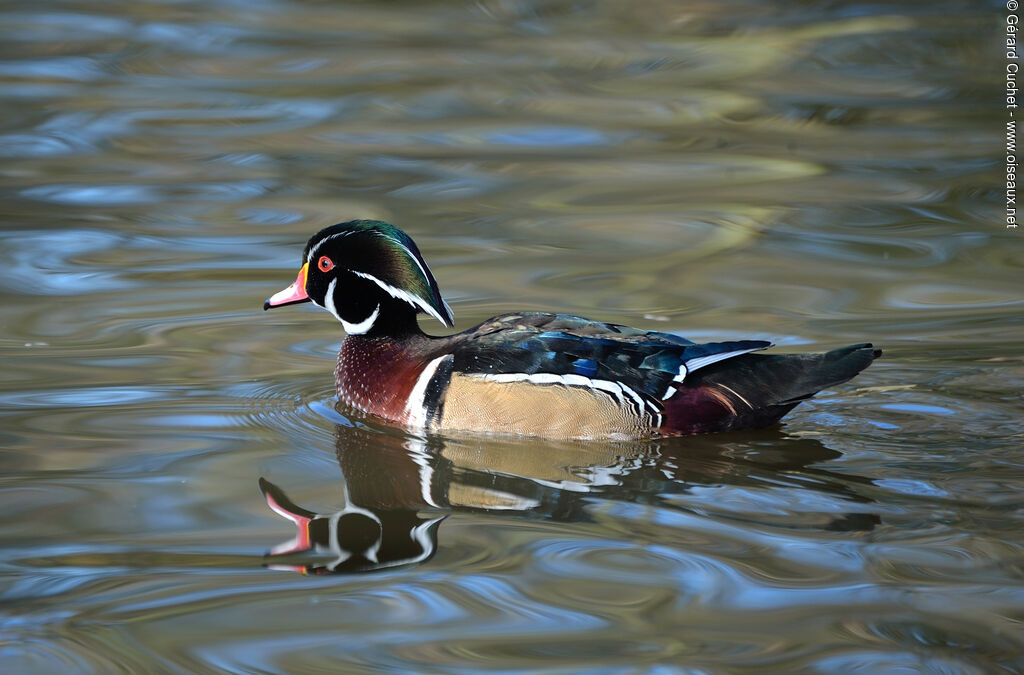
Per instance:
x=756, y=391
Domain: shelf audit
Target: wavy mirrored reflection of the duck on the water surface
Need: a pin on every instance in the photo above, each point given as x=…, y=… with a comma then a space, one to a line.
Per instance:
x=399, y=489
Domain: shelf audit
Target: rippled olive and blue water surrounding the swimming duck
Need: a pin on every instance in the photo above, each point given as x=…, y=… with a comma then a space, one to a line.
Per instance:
x=813, y=174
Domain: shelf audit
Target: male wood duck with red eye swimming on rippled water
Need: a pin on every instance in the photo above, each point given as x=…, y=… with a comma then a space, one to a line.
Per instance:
x=533, y=373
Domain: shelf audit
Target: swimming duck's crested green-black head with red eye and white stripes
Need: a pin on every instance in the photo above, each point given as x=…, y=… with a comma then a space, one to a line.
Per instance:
x=368, y=274
